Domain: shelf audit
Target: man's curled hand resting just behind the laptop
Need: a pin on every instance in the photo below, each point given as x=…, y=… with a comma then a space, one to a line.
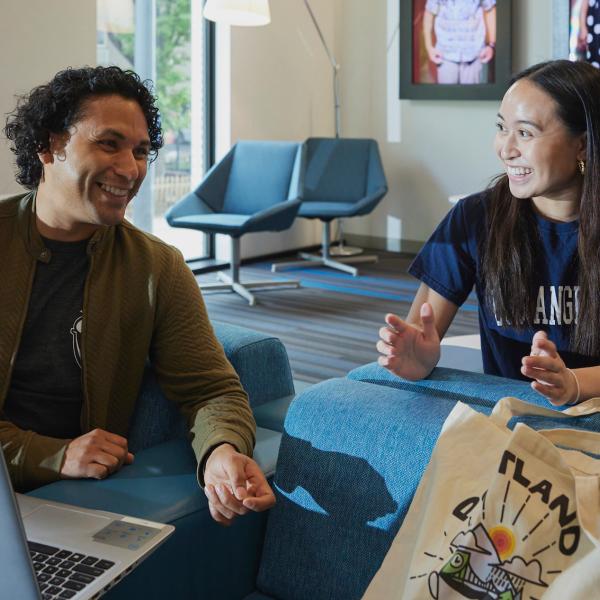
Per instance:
x=96, y=454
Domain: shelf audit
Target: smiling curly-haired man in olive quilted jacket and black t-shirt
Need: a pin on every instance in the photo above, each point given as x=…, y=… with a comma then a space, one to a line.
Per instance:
x=86, y=299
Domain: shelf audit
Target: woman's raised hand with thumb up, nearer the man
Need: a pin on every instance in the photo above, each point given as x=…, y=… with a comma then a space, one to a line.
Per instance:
x=408, y=351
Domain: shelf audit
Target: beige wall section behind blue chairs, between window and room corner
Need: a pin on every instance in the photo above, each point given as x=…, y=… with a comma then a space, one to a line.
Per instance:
x=281, y=89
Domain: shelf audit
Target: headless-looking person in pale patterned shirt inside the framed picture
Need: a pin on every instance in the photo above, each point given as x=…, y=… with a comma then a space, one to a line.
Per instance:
x=465, y=32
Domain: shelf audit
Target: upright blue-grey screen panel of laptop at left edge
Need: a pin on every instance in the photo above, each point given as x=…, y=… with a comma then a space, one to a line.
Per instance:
x=16, y=571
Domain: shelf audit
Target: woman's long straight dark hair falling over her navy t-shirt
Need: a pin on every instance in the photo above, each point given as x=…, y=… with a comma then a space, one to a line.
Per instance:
x=509, y=253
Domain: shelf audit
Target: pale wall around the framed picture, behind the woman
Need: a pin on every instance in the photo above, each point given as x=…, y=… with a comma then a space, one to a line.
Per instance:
x=444, y=147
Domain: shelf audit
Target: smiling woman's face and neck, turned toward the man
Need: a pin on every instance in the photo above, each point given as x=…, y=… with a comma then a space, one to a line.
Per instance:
x=537, y=150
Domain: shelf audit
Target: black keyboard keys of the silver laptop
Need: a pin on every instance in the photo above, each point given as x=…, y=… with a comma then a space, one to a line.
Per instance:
x=61, y=574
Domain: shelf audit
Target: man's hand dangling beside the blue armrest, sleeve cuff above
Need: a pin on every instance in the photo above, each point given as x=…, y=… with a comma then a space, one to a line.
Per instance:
x=234, y=484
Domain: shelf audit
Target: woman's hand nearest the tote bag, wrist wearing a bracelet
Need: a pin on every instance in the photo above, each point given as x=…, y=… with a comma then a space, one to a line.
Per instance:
x=551, y=378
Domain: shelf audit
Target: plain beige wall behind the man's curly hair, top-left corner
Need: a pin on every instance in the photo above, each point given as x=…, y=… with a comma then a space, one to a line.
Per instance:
x=37, y=39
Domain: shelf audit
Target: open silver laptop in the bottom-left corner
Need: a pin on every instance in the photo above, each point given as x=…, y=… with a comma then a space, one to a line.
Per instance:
x=50, y=550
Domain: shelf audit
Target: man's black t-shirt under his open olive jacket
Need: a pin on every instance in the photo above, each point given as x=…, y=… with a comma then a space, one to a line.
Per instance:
x=45, y=393
